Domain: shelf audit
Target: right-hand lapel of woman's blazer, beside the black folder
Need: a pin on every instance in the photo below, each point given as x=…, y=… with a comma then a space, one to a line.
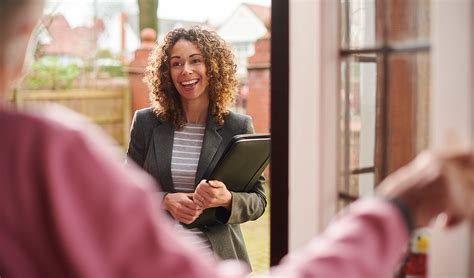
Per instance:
x=212, y=140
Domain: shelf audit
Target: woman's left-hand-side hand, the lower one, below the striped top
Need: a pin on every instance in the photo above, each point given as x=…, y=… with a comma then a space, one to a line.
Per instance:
x=181, y=207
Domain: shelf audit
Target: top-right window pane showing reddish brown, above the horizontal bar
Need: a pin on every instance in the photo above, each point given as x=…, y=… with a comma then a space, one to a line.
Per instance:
x=408, y=20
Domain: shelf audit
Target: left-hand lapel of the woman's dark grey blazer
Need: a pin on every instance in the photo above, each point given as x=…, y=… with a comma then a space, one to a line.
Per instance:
x=163, y=136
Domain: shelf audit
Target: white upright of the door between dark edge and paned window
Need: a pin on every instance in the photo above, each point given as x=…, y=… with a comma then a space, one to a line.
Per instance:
x=313, y=117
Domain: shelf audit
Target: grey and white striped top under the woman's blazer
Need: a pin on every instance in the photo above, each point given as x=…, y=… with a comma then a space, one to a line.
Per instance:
x=187, y=146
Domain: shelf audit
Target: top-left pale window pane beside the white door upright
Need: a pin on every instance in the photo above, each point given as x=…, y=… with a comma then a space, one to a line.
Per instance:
x=358, y=16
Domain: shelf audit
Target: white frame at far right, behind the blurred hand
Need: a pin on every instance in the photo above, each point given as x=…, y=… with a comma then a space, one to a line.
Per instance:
x=452, y=118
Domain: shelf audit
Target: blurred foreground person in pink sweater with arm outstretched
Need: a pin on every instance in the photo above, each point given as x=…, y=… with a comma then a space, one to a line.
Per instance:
x=69, y=209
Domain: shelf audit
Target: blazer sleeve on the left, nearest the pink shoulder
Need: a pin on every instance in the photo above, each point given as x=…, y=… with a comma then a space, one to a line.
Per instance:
x=136, y=147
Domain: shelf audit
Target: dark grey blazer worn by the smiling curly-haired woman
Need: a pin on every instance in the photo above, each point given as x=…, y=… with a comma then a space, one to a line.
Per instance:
x=151, y=146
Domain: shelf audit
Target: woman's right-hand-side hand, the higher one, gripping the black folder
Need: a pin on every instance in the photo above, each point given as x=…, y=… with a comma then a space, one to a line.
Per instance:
x=212, y=194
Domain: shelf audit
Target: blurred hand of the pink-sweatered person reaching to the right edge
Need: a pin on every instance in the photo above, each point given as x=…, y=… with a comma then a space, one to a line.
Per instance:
x=433, y=184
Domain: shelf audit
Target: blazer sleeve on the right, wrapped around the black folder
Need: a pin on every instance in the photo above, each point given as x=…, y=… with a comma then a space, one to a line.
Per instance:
x=248, y=205
